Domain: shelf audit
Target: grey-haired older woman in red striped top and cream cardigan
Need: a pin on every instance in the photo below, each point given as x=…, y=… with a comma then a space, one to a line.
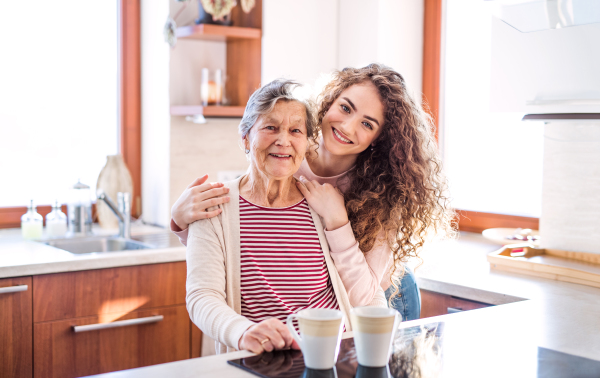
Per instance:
x=265, y=255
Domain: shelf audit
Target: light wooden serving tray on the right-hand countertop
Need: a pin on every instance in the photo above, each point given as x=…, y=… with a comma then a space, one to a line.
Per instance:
x=576, y=267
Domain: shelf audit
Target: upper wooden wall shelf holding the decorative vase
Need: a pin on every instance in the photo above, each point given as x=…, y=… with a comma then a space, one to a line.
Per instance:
x=217, y=32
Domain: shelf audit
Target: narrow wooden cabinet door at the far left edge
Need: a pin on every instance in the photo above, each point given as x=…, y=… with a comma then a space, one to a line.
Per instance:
x=15, y=327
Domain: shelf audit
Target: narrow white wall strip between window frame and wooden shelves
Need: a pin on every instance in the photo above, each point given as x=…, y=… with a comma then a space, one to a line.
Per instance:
x=155, y=114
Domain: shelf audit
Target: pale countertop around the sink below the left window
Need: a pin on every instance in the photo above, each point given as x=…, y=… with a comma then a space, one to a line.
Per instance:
x=26, y=258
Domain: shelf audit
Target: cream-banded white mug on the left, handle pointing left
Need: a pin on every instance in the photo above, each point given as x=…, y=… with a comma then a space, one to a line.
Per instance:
x=321, y=331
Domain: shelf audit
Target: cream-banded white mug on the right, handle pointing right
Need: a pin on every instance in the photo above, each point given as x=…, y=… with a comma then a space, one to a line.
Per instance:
x=374, y=331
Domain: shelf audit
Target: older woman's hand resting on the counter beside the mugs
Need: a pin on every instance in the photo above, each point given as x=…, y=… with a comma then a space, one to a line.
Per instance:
x=266, y=336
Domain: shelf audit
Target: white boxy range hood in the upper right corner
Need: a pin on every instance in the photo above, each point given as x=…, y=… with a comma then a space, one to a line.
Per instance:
x=549, y=71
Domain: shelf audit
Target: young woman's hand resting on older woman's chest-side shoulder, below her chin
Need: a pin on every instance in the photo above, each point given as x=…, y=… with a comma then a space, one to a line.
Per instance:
x=326, y=200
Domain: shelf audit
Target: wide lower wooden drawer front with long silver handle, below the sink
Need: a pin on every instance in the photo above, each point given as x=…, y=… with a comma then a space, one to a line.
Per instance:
x=59, y=351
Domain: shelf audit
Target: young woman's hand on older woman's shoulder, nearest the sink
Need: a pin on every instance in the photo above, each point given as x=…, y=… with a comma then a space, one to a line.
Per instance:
x=195, y=199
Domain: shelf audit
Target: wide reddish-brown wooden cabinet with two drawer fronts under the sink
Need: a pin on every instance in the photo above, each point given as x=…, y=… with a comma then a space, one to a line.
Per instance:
x=62, y=301
